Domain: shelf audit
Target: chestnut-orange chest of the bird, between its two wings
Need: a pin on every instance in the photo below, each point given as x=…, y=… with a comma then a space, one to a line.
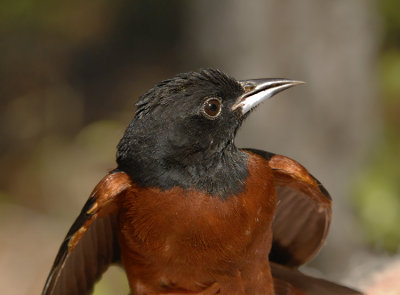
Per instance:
x=183, y=236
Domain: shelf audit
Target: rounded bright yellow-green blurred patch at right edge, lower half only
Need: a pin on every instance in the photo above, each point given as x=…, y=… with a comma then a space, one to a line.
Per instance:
x=378, y=198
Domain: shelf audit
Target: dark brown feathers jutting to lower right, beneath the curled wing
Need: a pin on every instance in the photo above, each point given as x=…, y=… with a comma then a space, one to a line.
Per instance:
x=289, y=281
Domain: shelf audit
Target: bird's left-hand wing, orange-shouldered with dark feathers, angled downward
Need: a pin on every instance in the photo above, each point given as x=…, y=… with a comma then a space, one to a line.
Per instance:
x=91, y=243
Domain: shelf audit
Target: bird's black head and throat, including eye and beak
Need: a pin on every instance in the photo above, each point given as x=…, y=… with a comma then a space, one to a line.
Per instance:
x=183, y=132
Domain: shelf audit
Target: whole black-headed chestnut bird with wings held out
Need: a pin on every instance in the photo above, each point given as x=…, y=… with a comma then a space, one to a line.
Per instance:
x=186, y=211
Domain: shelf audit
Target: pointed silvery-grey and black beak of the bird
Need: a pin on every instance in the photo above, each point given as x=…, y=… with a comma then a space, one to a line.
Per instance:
x=258, y=90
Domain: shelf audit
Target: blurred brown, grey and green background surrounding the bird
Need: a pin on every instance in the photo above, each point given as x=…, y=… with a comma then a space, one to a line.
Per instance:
x=71, y=71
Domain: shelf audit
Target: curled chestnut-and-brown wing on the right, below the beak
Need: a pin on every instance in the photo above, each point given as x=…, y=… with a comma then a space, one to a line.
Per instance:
x=303, y=213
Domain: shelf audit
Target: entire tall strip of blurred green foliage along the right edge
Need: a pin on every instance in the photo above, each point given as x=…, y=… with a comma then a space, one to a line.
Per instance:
x=378, y=189
